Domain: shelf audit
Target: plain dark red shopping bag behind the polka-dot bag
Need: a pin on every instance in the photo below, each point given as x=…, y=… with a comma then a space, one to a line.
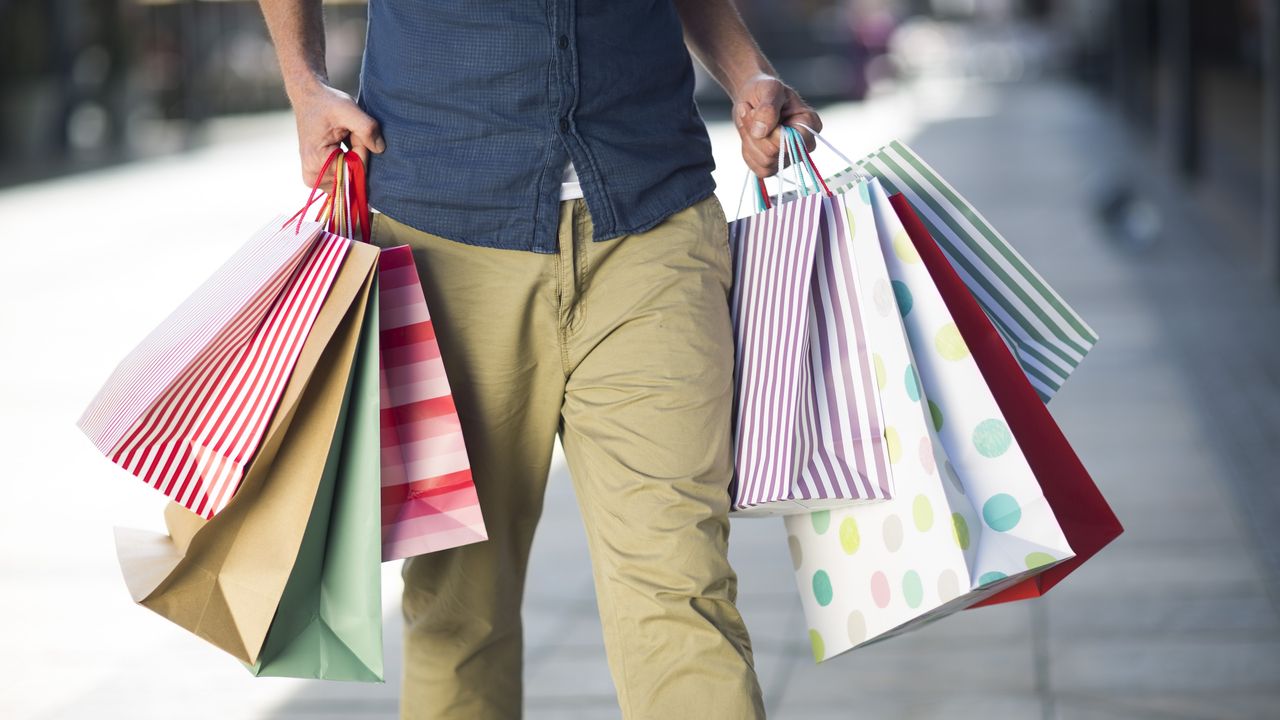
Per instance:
x=1084, y=514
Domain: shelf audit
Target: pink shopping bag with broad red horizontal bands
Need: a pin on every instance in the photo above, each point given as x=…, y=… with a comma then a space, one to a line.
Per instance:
x=429, y=500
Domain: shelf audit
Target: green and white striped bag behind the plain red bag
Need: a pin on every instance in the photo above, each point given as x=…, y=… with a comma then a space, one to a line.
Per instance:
x=1049, y=338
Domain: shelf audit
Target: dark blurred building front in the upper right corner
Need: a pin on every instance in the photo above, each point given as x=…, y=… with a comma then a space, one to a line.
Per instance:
x=1199, y=83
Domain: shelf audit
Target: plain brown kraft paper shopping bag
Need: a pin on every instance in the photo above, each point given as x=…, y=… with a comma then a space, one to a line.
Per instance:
x=223, y=580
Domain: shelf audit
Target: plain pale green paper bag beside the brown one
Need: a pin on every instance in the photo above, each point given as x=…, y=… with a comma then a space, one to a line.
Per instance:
x=330, y=623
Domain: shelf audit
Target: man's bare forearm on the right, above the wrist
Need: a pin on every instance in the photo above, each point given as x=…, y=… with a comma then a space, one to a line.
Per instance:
x=720, y=40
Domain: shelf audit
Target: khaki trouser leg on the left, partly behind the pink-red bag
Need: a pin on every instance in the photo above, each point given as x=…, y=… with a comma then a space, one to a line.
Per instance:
x=495, y=313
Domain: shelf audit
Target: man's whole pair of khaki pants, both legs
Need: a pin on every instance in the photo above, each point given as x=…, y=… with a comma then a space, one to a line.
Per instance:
x=625, y=349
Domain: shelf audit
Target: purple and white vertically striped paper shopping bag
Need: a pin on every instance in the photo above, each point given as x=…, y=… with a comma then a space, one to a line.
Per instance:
x=810, y=429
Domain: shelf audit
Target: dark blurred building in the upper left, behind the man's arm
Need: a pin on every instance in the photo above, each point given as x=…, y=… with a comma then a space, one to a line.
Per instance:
x=86, y=83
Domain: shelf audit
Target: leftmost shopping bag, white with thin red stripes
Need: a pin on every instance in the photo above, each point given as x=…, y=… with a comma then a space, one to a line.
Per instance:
x=188, y=409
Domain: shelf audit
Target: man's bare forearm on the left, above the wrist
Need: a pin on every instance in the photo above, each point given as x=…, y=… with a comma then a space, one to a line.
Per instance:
x=298, y=33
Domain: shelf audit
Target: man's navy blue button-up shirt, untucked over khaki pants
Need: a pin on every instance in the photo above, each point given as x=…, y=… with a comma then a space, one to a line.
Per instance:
x=483, y=103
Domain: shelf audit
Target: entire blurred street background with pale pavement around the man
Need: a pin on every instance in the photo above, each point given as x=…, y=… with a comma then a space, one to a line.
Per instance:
x=1130, y=149
